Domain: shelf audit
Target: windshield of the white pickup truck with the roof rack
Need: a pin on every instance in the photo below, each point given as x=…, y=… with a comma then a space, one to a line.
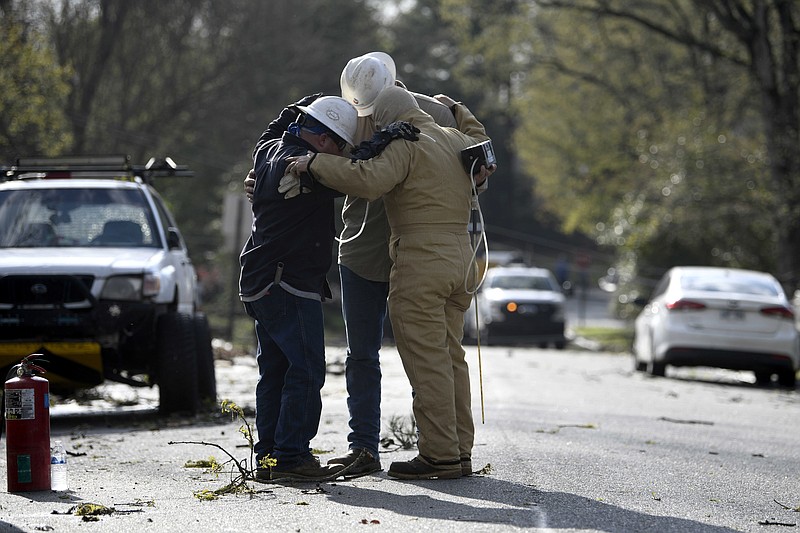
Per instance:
x=36, y=218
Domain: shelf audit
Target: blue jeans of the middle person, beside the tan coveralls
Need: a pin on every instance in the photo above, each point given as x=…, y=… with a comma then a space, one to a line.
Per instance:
x=364, y=310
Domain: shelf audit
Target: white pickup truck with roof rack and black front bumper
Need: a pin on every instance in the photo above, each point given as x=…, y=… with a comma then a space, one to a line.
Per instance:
x=95, y=275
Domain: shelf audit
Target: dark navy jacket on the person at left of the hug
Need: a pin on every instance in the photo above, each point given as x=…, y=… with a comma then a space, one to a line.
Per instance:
x=297, y=233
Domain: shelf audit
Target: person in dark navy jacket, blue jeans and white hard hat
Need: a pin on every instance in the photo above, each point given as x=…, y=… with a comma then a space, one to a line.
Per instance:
x=282, y=285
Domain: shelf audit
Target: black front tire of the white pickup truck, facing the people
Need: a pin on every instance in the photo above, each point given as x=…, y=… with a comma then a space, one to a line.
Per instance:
x=176, y=369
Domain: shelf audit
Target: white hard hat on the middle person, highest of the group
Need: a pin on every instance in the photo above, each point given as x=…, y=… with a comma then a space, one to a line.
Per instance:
x=364, y=77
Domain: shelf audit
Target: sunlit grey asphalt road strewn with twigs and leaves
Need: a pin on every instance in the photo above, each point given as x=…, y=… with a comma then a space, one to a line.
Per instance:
x=570, y=441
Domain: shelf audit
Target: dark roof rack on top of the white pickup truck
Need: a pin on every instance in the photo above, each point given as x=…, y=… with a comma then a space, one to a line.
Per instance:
x=102, y=166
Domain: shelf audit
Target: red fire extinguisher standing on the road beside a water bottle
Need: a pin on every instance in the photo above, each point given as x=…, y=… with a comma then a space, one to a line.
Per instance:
x=27, y=410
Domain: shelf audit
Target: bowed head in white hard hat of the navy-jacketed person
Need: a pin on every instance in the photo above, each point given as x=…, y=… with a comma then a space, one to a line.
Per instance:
x=328, y=123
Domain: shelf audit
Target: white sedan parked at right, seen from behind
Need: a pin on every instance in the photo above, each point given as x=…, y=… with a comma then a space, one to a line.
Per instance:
x=718, y=317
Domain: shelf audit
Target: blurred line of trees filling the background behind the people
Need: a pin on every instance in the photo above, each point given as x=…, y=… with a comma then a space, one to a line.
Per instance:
x=656, y=133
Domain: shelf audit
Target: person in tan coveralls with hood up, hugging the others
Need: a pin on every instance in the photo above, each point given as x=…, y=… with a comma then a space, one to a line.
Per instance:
x=427, y=195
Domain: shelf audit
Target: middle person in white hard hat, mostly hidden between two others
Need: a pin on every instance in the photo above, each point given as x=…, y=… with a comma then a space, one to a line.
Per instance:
x=364, y=266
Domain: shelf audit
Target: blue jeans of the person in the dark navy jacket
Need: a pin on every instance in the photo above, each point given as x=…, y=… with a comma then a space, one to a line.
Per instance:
x=291, y=366
